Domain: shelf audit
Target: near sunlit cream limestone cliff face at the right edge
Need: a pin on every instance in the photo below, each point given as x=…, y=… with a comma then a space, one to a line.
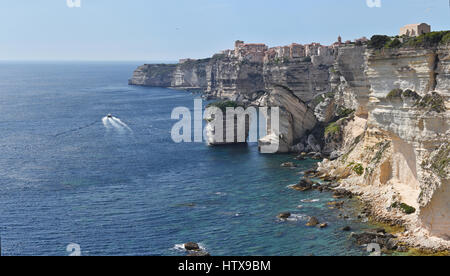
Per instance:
x=395, y=148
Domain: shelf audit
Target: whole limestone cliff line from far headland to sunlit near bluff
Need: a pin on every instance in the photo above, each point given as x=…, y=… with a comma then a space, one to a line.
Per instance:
x=379, y=118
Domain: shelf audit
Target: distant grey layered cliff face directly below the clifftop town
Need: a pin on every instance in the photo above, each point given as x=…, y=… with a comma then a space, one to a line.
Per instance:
x=230, y=77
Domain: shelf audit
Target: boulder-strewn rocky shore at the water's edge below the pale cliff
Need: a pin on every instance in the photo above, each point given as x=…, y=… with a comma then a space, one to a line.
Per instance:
x=389, y=233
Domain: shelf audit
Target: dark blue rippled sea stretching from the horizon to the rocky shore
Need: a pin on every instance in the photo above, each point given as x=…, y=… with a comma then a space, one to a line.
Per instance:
x=66, y=178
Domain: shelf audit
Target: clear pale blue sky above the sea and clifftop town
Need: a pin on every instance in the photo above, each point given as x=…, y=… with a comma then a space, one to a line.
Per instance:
x=146, y=30
